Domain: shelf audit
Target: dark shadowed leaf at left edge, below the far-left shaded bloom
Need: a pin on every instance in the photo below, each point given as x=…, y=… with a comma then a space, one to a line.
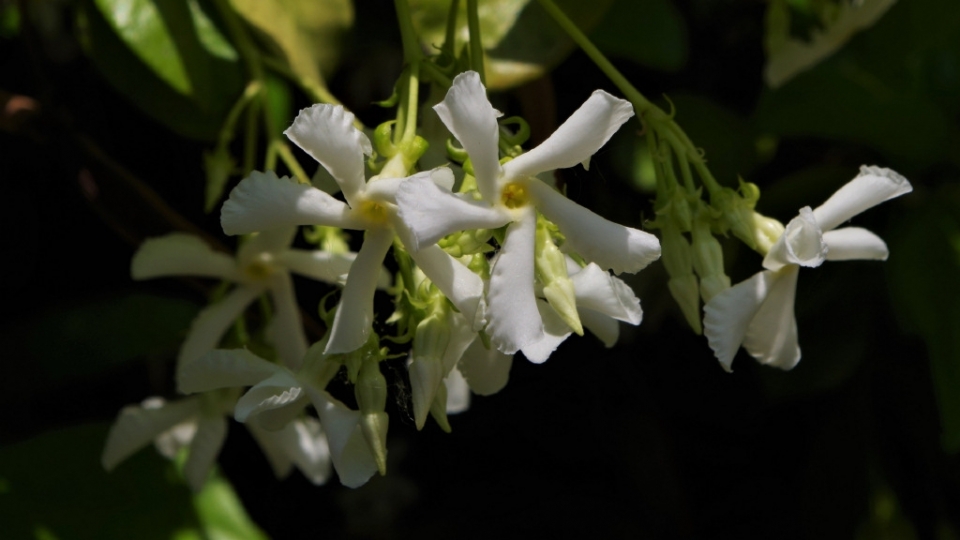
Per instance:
x=83, y=341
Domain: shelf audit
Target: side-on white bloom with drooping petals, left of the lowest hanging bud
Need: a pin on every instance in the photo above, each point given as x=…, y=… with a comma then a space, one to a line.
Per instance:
x=277, y=397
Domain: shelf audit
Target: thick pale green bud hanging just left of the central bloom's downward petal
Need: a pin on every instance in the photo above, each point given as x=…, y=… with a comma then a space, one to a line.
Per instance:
x=426, y=368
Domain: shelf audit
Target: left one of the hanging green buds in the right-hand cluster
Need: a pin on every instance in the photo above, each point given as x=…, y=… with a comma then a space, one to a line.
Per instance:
x=678, y=260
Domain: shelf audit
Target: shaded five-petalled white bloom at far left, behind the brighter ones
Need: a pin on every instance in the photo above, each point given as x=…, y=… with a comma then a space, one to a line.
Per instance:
x=263, y=263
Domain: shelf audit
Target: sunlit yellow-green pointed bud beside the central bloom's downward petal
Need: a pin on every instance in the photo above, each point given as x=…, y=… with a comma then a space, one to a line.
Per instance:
x=551, y=268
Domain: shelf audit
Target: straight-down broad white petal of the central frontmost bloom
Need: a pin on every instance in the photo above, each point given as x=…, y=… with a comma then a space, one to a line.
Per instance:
x=512, y=307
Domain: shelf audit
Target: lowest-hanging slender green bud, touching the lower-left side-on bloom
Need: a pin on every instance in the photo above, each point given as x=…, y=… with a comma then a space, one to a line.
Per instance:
x=371, y=394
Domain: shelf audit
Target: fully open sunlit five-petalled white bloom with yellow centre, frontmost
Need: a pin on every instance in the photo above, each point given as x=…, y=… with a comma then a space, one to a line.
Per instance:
x=512, y=194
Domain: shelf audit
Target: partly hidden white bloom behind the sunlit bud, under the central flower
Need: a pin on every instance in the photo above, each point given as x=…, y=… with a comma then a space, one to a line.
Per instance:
x=601, y=299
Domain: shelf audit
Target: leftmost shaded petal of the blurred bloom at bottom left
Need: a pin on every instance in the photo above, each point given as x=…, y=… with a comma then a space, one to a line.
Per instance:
x=137, y=426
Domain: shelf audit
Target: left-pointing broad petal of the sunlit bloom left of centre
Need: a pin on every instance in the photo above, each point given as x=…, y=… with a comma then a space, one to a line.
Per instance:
x=262, y=202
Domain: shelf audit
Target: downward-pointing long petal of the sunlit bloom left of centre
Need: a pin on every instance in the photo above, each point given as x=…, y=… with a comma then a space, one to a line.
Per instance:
x=351, y=324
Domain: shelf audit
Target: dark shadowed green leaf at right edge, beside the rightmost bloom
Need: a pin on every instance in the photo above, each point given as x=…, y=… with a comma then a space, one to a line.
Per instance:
x=924, y=269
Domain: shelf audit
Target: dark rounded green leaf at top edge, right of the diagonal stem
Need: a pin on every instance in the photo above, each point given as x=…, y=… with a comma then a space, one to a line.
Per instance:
x=651, y=33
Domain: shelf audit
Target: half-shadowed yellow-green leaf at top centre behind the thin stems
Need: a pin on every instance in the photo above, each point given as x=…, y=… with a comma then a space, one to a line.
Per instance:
x=522, y=41
